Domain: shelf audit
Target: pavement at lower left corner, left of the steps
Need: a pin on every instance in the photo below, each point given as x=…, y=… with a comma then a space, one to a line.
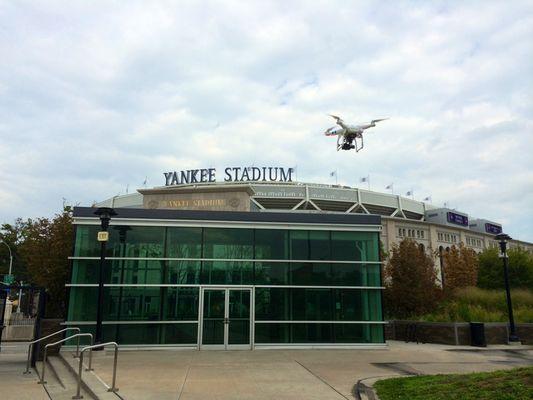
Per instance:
x=14, y=385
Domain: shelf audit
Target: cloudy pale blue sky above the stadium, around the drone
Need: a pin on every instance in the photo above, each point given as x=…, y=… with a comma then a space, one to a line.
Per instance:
x=96, y=97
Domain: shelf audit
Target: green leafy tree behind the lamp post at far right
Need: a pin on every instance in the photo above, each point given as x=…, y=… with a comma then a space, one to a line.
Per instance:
x=490, y=271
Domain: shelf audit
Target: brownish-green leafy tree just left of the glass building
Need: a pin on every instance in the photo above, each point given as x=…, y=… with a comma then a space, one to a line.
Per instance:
x=45, y=251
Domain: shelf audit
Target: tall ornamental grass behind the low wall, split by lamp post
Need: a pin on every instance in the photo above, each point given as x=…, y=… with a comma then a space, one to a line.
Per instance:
x=474, y=304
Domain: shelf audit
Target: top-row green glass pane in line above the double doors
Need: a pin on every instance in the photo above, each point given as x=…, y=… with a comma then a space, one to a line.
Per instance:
x=228, y=243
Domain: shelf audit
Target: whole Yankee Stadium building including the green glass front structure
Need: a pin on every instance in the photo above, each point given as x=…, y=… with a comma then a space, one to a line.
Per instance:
x=252, y=264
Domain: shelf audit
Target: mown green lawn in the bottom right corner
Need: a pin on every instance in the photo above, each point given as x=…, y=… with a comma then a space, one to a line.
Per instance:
x=515, y=384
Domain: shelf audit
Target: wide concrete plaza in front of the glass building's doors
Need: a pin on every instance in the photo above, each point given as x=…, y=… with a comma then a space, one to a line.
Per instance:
x=290, y=374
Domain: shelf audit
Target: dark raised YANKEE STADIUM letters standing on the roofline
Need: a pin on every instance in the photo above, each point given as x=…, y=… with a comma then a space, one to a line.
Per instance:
x=231, y=174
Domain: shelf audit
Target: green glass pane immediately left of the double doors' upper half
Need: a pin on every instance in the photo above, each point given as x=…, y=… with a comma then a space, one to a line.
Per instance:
x=180, y=303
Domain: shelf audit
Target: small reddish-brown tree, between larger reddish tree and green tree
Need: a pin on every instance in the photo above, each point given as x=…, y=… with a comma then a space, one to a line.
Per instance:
x=460, y=267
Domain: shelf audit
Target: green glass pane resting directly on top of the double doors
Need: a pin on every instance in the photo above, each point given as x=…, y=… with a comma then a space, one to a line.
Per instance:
x=227, y=272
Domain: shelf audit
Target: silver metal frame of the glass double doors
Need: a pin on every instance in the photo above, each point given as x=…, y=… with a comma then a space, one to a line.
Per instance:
x=225, y=345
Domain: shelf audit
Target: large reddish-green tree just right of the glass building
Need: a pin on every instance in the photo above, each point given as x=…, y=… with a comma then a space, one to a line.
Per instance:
x=410, y=281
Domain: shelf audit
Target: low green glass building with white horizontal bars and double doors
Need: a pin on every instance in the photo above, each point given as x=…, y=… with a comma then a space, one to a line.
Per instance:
x=229, y=280
